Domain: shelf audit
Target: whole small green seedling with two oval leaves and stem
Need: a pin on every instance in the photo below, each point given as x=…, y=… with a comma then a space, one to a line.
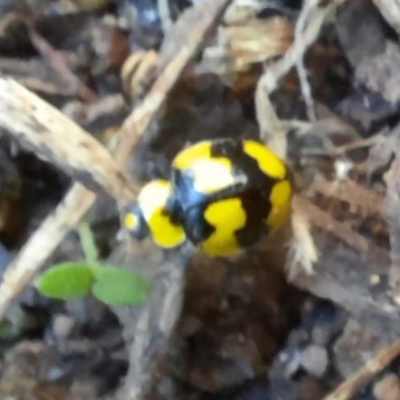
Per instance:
x=109, y=284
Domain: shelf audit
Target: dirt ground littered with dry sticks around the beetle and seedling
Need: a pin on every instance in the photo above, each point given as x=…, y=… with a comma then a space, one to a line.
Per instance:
x=98, y=96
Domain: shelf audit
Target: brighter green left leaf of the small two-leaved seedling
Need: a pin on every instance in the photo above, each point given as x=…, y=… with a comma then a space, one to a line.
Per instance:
x=66, y=281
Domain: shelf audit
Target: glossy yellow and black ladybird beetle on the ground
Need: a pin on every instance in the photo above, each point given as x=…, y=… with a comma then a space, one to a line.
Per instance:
x=223, y=196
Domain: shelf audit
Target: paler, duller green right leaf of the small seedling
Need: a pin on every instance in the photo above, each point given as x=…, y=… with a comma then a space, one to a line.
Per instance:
x=116, y=286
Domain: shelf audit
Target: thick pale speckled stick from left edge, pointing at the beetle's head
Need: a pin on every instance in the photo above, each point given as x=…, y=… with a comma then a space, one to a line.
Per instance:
x=53, y=137
